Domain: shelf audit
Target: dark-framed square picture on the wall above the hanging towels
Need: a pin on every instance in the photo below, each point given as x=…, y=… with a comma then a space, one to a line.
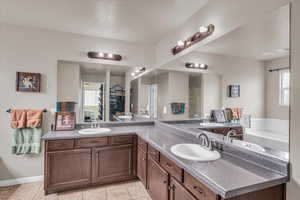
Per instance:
x=28, y=82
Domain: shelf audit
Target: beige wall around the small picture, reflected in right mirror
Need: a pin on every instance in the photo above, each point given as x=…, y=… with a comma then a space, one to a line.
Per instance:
x=249, y=74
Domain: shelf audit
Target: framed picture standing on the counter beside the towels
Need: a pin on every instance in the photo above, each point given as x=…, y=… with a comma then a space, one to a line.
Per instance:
x=65, y=121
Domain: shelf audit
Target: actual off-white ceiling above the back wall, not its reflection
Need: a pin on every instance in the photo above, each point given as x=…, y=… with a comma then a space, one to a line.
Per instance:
x=140, y=21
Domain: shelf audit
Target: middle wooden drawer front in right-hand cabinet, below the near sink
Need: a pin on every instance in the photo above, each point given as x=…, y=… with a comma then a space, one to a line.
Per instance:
x=171, y=167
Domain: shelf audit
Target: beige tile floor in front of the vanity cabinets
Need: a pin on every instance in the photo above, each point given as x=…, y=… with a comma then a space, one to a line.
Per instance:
x=34, y=191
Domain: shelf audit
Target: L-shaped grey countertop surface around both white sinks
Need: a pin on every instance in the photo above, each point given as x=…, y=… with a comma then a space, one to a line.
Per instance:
x=227, y=177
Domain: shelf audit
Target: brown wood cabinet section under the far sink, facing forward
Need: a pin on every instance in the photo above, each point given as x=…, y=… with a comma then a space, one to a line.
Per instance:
x=76, y=163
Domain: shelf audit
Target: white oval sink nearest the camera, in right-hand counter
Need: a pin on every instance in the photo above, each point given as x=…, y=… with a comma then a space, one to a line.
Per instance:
x=194, y=152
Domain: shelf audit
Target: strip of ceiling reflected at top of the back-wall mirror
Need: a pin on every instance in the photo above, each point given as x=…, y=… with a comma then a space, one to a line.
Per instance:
x=96, y=68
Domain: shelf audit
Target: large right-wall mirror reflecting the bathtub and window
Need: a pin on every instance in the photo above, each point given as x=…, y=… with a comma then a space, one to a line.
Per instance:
x=248, y=73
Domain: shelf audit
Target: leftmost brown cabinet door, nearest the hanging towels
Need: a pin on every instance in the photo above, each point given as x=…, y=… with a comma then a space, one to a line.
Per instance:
x=67, y=169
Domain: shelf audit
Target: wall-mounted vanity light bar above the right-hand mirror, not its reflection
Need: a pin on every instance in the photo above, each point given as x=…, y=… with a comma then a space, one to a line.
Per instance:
x=203, y=32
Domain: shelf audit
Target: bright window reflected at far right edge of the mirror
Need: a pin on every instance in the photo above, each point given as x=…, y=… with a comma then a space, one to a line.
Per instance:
x=284, y=87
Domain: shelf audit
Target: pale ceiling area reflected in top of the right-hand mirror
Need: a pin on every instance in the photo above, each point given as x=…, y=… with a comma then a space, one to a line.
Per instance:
x=262, y=40
